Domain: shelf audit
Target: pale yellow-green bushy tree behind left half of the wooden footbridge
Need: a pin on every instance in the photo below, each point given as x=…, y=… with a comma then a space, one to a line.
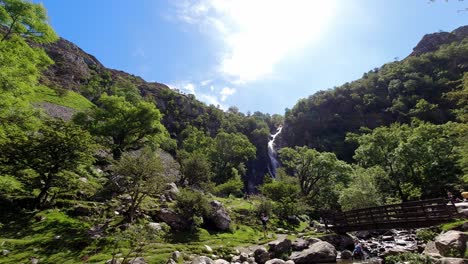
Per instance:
x=362, y=191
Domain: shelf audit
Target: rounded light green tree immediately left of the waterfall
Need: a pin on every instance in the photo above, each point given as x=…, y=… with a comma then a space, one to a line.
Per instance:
x=230, y=151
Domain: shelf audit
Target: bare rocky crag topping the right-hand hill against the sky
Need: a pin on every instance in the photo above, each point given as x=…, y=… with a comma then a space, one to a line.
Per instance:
x=431, y=42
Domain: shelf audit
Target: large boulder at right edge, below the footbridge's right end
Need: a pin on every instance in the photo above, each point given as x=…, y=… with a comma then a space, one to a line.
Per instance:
x=451, y=243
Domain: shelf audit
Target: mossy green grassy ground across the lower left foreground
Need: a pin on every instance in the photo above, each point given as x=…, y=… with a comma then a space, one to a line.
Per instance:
x=59, y=238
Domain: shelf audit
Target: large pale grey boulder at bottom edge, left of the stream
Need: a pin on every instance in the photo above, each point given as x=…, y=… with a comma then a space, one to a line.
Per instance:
x=320, y=252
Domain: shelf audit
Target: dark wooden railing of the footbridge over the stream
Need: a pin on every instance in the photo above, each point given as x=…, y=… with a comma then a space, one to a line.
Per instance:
x=406, y=215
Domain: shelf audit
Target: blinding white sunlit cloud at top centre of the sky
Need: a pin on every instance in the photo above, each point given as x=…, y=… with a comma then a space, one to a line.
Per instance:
x=258, y=34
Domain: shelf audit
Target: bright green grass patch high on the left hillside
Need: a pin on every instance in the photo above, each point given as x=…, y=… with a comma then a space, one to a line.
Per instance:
x=69, y=99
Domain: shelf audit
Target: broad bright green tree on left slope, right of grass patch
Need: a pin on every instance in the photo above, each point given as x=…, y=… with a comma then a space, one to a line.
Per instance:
x=127, y=125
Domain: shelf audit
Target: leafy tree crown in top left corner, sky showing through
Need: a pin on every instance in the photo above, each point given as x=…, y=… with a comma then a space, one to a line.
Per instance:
x=25, y=19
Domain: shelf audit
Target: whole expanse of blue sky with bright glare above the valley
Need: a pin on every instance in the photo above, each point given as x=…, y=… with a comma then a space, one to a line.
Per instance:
x=259, y=55
